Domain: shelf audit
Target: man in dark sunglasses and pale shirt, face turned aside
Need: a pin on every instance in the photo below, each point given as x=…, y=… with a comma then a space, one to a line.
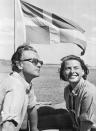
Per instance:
x=16, y=92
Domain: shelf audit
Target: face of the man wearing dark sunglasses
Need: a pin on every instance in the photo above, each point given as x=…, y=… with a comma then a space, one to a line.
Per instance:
x=29, y=66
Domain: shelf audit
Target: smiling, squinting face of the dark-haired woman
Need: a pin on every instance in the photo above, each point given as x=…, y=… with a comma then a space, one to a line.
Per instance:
x=73, y=71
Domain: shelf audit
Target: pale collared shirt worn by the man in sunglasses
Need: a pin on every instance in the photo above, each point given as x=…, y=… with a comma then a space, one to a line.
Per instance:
x=15, y=97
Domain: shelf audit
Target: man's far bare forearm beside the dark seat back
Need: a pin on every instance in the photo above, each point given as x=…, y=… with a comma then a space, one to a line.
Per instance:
x=33, y=119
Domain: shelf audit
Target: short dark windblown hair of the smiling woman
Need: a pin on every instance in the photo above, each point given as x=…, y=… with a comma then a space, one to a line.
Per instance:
x=73, y=57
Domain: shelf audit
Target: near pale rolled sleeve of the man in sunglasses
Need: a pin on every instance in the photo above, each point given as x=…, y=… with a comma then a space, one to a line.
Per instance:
x=13, y=104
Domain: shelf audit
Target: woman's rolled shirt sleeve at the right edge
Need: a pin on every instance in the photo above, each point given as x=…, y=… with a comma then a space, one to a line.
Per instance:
x=88, y=108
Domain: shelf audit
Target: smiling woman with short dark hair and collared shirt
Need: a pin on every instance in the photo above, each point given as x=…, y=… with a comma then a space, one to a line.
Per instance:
x=79, y=94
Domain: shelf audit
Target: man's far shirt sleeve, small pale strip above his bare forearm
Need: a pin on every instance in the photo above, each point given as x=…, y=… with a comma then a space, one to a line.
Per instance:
x=32, y=99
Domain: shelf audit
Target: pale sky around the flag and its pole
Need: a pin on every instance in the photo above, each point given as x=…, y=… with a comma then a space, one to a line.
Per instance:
x=83, y=12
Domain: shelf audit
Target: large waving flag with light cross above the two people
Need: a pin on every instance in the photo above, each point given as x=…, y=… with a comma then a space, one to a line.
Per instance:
x=43, y=27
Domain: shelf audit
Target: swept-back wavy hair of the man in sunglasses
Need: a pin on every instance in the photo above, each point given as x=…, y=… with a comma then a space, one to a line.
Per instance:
x=18, y=54
